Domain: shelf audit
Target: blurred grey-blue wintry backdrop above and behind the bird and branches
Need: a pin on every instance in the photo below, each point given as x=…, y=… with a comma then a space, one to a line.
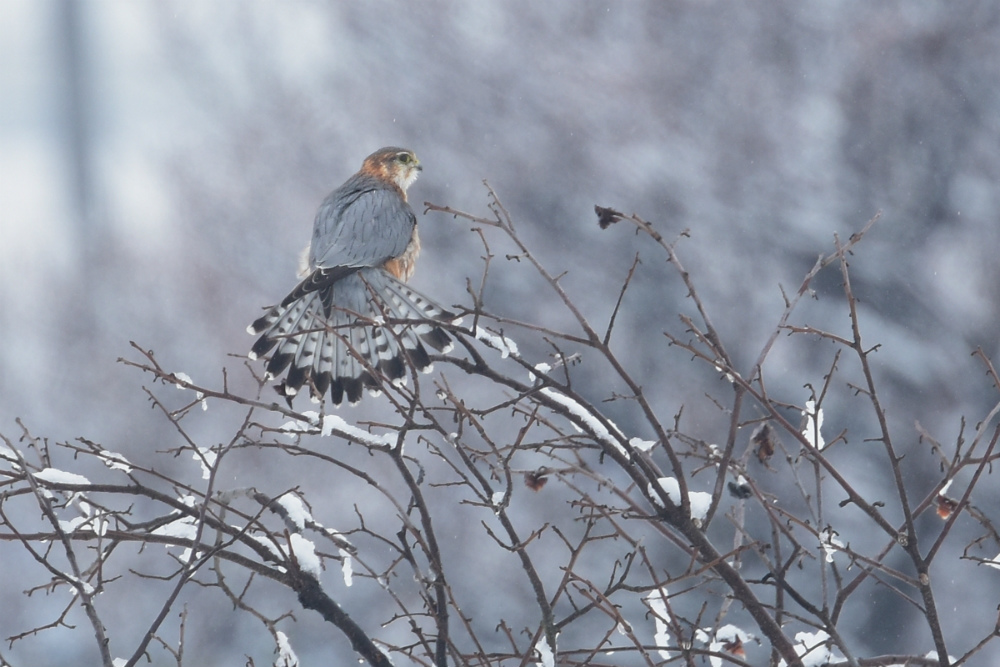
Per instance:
x=161, y=163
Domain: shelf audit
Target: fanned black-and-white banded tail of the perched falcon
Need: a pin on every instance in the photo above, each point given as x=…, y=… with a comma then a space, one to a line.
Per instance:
x=349, y=334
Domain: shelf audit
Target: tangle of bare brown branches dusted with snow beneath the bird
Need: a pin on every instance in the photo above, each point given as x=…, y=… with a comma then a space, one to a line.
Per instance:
x=492, y=513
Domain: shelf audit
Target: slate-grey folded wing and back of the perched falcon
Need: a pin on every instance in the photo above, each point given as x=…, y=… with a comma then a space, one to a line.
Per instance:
x=361, y=227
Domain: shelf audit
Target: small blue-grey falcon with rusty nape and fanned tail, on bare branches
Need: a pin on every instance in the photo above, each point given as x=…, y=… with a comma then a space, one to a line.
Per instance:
x=353, y=322
